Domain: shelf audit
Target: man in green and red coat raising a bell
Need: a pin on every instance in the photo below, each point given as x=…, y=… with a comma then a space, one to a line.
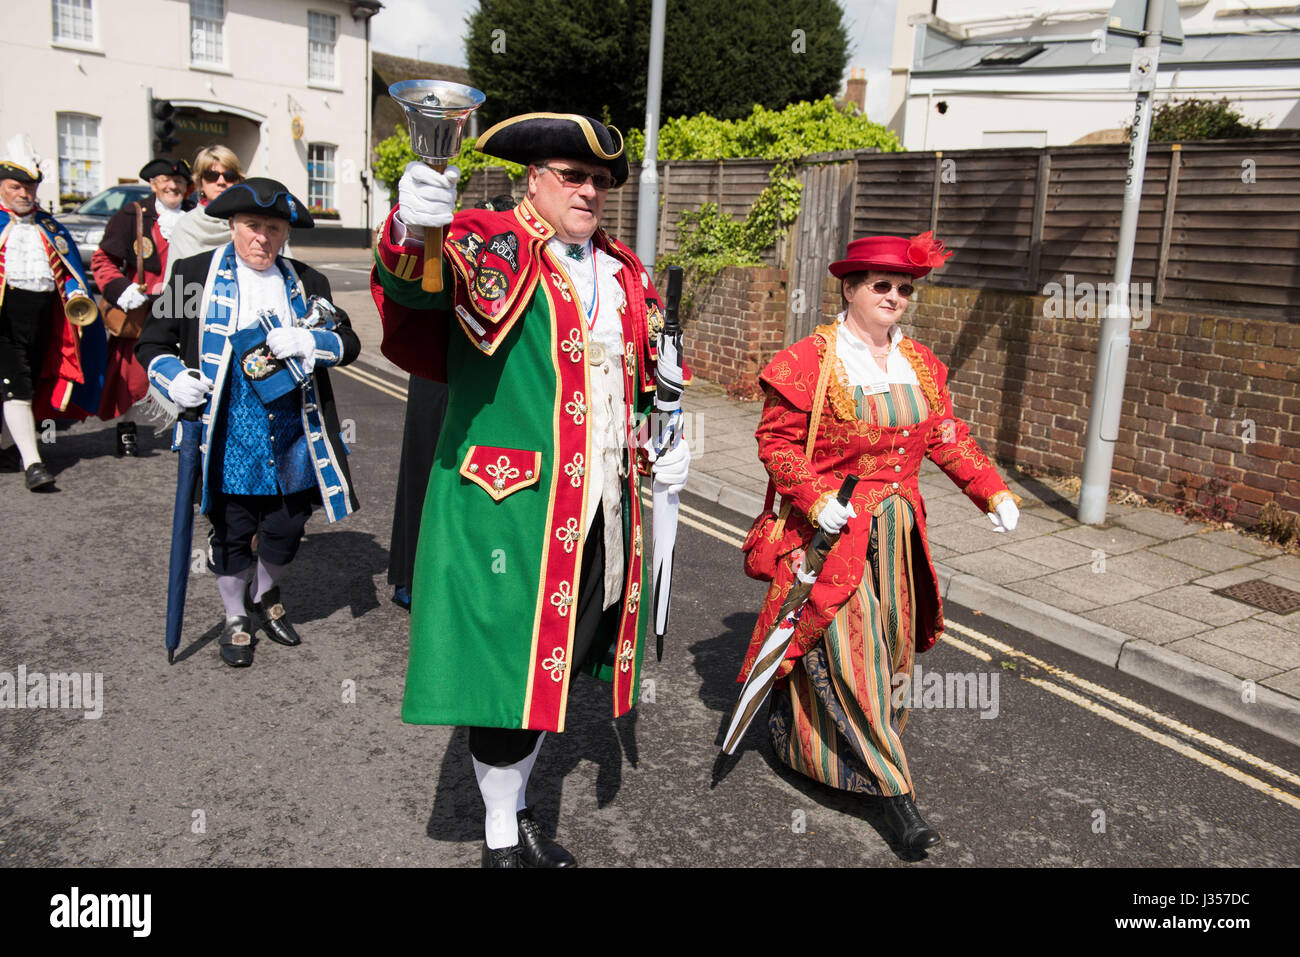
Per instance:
x=534, y=560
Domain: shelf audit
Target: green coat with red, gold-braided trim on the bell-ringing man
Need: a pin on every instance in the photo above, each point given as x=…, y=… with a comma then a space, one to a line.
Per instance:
x=504, y=525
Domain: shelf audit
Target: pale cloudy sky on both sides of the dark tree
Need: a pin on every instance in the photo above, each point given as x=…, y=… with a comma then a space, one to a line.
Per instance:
x=434, y=31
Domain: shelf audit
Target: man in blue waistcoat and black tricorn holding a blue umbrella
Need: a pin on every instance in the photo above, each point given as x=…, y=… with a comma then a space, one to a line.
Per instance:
x=232, y=324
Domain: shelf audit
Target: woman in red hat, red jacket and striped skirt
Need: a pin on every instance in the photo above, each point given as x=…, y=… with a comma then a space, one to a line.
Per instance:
x=835, y=714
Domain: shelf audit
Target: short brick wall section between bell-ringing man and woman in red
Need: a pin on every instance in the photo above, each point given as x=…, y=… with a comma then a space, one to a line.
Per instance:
x=735, y=326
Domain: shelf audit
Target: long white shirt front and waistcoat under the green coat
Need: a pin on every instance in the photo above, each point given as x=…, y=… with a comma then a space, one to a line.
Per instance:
x=606, y=400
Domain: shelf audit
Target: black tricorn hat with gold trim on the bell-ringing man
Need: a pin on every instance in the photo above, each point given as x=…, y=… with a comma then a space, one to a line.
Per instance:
x=532, y=137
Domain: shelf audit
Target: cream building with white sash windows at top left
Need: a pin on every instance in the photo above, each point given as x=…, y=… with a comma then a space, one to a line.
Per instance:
x=285, y=84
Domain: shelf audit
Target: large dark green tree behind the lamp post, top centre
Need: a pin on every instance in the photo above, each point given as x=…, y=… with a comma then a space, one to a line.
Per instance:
x=591, y=57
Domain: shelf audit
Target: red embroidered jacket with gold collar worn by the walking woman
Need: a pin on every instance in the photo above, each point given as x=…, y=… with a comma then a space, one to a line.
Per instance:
x=887, y=461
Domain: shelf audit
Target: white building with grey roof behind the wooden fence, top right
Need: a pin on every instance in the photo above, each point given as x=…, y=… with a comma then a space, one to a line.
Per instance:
x=980, y=73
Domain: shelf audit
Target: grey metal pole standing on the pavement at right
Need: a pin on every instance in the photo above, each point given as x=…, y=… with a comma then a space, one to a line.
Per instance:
x=1108, y=386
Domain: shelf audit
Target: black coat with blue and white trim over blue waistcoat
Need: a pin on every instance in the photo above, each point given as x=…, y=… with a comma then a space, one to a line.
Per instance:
x=181, y=335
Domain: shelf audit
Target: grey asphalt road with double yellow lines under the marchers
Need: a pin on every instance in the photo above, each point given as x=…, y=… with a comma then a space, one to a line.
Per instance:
x=203, y=765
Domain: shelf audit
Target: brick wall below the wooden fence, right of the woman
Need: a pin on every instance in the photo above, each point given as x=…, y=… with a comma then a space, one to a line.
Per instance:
x=1195, y=380
